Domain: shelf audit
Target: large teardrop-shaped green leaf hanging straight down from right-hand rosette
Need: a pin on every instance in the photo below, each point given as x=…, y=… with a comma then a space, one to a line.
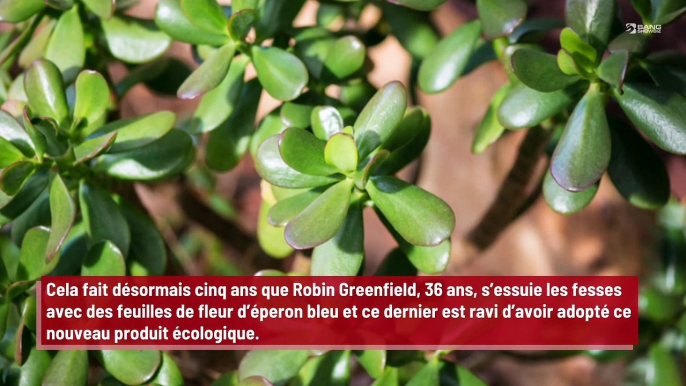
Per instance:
x=583, y=153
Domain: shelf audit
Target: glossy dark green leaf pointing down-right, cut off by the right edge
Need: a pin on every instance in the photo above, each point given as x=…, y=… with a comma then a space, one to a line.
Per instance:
x=659, y=114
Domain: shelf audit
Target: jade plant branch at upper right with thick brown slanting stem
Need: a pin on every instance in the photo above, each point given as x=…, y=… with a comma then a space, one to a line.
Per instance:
x=565, y=100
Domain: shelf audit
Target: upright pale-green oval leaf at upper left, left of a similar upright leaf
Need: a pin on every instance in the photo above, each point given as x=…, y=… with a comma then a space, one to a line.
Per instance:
x=43, y=85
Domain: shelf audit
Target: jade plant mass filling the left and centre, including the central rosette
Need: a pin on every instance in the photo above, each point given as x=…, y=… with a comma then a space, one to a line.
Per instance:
x=69, y=163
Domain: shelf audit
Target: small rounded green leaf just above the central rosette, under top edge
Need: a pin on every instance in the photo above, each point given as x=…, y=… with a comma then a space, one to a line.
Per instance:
x=345, y=58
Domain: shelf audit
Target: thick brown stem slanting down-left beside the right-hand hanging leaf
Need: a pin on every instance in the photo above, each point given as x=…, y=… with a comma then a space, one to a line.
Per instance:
x=512, y=194
